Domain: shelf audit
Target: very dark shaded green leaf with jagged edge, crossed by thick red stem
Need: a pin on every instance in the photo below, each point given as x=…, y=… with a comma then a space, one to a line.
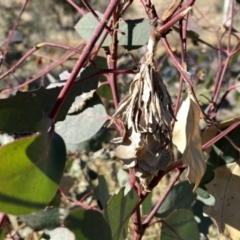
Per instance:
x=21, y=112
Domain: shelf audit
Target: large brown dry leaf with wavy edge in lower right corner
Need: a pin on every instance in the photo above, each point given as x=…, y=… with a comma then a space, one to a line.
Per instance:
x=225, y=188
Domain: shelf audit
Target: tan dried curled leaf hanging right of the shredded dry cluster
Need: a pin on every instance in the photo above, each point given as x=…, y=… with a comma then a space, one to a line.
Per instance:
x=186, y=137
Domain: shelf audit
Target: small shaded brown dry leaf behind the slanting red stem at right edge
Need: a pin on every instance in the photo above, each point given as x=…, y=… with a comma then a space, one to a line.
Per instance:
x=212, y=131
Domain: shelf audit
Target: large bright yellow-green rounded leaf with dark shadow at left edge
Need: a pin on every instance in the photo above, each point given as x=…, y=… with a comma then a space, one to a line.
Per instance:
x=31, y=169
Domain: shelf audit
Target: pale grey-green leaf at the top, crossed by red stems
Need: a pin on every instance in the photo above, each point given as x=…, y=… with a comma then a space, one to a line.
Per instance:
x=136, y=32
